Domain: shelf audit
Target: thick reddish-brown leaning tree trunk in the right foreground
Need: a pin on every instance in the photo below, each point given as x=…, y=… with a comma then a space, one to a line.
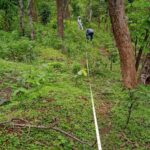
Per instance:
x=123, y=42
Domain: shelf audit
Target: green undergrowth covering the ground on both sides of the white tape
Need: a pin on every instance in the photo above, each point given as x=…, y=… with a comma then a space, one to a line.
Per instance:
x=45, y=81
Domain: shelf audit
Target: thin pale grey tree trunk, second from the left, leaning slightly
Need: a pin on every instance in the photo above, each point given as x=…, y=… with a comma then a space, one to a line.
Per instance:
x=30, y=19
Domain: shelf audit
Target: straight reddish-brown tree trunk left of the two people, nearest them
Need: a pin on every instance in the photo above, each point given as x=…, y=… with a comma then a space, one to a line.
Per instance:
x=59, y=4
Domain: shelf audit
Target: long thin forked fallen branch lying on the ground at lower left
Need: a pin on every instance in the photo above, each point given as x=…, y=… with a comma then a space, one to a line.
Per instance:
x=52, y=126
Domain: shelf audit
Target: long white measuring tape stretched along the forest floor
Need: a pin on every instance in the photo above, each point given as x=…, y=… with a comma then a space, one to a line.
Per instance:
x=93, y=108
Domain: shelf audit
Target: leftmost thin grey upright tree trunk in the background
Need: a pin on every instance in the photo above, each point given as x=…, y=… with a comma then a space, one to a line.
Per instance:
x=21, y=13
